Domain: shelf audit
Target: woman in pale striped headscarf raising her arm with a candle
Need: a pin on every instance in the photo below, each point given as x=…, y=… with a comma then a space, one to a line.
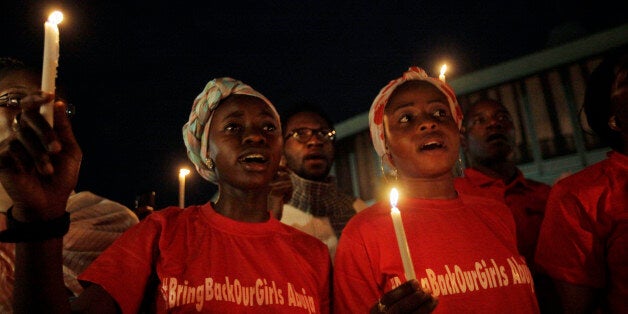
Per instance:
x=230, y=255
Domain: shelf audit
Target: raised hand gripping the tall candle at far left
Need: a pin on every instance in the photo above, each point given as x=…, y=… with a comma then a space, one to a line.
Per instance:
x=38, y=164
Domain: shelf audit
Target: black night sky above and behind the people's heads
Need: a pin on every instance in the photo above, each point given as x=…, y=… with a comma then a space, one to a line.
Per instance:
x=133, y=68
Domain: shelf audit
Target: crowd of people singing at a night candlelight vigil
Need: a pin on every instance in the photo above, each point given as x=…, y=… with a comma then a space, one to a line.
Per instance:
x=280, y=237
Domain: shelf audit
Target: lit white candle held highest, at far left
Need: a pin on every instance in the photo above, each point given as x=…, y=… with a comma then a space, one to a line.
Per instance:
x=51, y=60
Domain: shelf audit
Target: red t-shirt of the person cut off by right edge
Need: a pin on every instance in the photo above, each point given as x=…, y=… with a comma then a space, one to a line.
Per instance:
x=584, y=237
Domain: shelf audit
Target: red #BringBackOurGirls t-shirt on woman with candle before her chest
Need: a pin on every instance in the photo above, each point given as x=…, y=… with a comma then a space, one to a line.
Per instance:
x=463, y=250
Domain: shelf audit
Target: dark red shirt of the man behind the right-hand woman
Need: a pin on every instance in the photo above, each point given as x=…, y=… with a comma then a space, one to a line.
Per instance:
x=526, y=199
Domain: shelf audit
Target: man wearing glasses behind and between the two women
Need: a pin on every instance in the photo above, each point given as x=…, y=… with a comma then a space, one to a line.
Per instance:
x=317, y=207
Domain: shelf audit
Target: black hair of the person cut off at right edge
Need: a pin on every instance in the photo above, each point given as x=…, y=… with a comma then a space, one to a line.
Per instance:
x=597, y=98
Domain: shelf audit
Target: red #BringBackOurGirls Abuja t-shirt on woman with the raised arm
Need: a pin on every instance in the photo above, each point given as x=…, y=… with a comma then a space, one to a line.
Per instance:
x=206, y=262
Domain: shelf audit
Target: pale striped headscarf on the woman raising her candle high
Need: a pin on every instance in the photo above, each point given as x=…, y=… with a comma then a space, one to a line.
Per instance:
x=196, y=130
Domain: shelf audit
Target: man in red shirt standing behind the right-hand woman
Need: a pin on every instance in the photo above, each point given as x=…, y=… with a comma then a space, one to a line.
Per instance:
x=489, y=144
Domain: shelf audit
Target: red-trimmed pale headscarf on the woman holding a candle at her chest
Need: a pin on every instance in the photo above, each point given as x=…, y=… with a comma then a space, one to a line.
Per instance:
x=376, y=114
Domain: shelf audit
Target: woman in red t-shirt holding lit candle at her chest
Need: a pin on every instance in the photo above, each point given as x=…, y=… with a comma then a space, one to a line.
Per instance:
x=462, y=248
